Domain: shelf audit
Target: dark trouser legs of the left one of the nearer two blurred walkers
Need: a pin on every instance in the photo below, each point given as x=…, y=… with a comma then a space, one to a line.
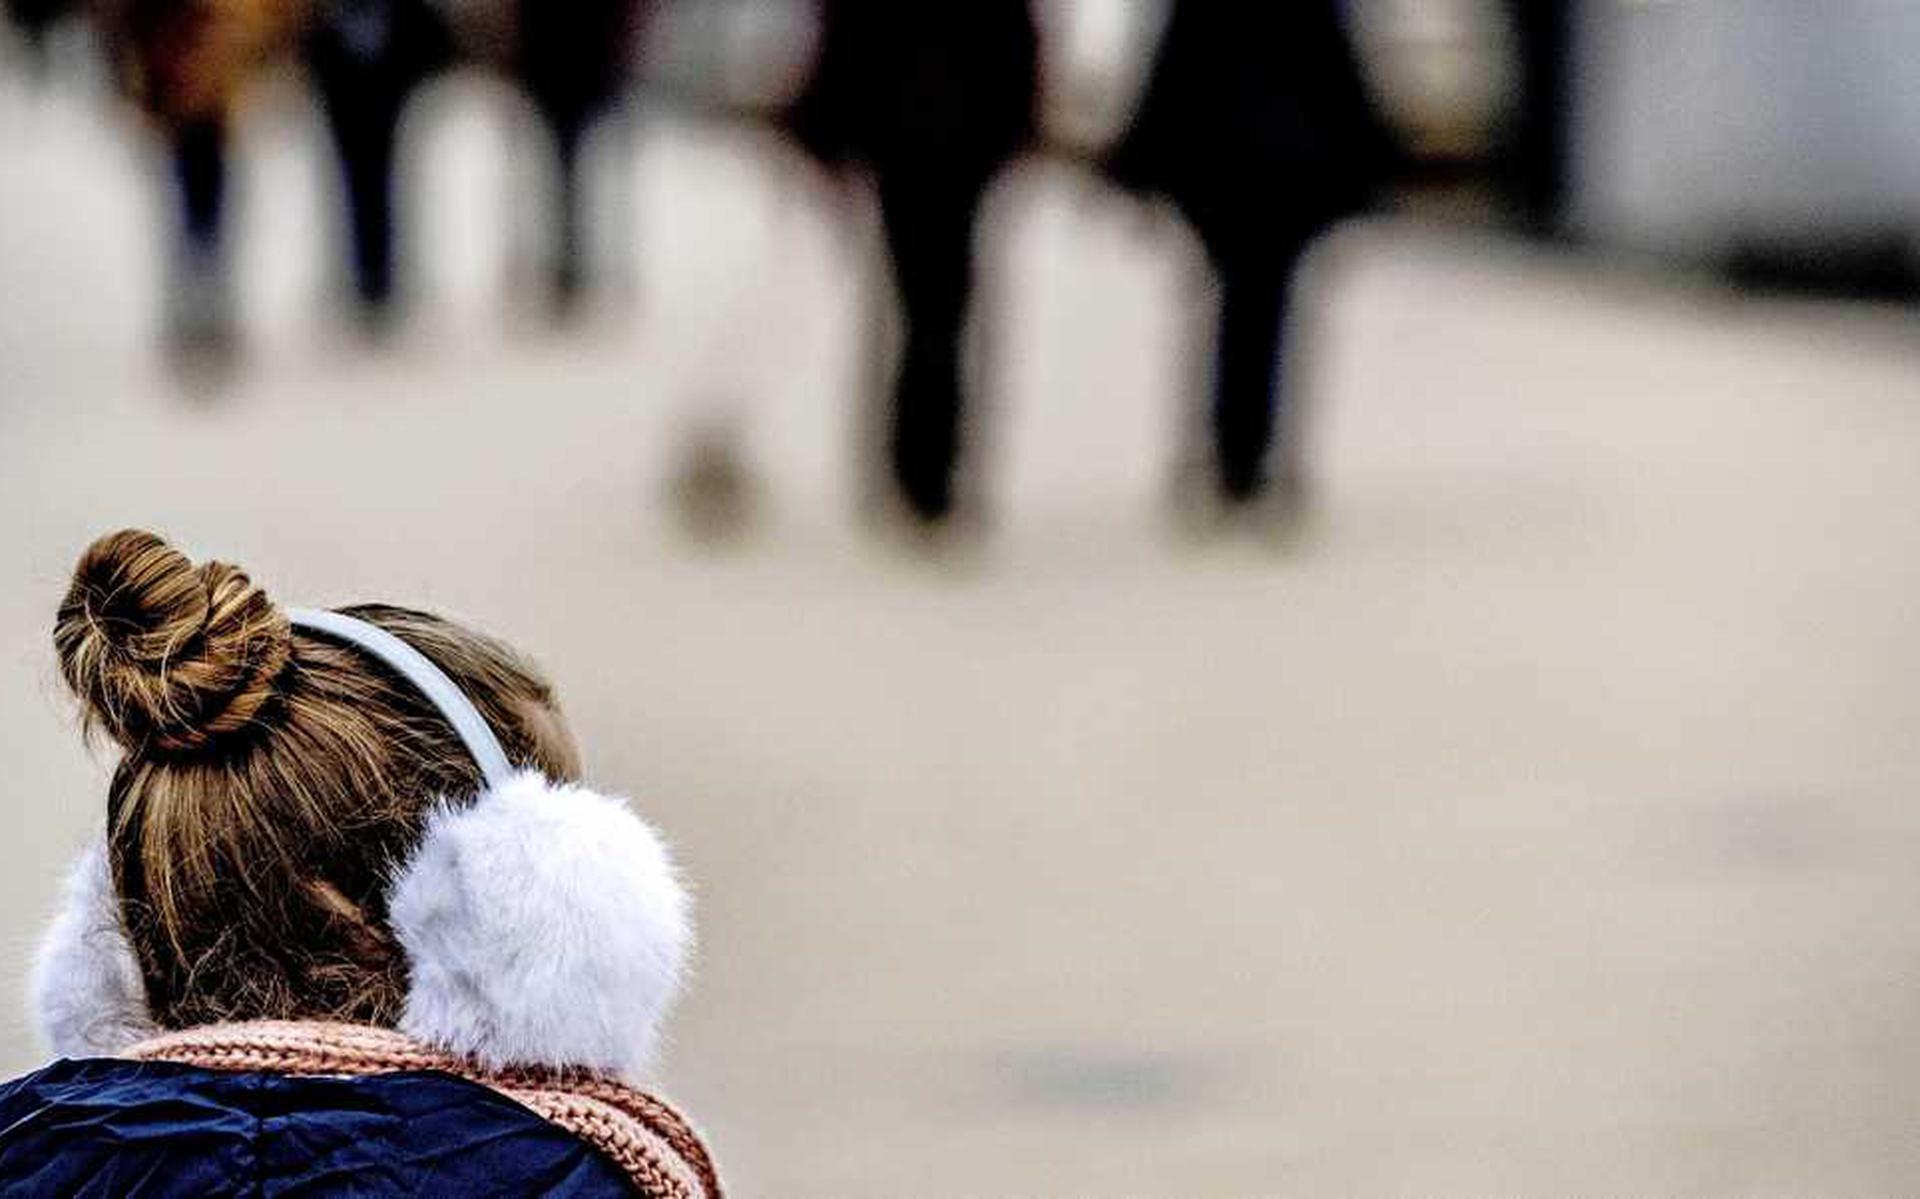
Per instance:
x=930, y=224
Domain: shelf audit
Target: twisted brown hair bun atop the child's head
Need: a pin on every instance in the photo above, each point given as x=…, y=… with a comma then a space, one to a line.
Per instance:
x=162, y=652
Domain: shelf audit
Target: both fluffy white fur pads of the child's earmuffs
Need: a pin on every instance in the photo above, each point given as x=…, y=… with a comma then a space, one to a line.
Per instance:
x=544, y=925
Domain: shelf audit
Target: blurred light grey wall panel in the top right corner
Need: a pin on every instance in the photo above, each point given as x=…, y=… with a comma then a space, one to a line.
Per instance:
x=1769, y=116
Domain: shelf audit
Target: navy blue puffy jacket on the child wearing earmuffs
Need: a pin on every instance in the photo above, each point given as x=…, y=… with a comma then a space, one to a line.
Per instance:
x=156, y=1131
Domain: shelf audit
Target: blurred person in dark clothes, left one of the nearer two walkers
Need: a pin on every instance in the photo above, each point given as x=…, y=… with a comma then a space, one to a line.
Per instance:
x=932, y=101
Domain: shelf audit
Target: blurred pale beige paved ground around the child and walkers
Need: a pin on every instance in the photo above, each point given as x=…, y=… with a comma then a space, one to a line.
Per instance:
x=1547, y=827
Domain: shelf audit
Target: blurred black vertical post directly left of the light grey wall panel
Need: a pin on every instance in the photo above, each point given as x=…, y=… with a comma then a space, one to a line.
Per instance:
x=1541, y=143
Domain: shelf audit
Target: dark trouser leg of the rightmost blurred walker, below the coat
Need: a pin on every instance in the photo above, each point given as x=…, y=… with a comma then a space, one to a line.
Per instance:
x=1249, y=370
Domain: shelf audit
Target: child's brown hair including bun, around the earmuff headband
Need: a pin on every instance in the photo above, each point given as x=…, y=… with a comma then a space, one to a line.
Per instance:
x=272, y=779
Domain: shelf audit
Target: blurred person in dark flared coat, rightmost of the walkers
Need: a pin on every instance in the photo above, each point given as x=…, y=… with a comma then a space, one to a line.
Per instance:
x=1259, y=130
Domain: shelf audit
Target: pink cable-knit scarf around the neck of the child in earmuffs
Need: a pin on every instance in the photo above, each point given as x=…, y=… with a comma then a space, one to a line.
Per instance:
x=640, y=1133
